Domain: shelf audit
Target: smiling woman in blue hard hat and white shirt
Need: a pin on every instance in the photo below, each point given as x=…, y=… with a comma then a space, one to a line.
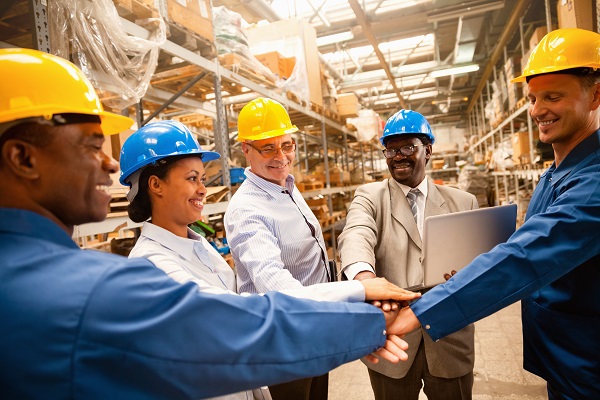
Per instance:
x=162, y=163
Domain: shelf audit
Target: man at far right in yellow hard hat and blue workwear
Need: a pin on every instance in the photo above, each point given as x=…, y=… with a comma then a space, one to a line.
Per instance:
x=552, y=262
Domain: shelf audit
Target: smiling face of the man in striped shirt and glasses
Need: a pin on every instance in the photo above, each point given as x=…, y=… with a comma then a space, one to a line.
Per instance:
x=273, y=169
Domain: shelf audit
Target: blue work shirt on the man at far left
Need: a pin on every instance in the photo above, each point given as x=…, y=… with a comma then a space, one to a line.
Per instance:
x=91, y=325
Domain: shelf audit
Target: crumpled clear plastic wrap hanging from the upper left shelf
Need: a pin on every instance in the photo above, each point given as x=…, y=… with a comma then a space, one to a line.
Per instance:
x=90, y=35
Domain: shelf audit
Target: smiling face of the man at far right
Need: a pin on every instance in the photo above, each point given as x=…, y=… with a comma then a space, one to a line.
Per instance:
x=563, y=110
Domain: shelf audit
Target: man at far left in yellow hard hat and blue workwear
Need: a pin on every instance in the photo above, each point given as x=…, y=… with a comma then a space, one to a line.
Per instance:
x=93, y=325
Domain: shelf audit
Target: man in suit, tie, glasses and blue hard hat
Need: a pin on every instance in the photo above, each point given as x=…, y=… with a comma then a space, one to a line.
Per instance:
x=382, y=237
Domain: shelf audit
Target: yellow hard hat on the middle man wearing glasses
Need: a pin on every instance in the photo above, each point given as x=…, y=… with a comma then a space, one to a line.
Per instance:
x=263, y=118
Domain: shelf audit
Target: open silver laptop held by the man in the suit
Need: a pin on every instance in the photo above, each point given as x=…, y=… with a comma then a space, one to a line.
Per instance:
x=452, y=241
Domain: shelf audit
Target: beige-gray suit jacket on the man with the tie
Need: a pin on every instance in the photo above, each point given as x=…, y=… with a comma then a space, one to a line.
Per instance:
x=380, y=230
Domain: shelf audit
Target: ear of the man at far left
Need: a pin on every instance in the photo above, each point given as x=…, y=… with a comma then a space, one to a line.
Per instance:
x=21, y=158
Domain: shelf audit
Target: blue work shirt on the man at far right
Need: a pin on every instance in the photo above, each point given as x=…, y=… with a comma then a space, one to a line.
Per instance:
x=552, y=262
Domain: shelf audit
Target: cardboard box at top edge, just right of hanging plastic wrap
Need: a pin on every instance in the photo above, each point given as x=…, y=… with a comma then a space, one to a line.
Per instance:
x=194, y=15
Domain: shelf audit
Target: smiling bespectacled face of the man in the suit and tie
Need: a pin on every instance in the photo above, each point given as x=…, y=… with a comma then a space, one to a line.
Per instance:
x=408, y=170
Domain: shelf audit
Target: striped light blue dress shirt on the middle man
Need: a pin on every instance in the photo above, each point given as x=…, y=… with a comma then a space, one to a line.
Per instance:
x=271, y=244
